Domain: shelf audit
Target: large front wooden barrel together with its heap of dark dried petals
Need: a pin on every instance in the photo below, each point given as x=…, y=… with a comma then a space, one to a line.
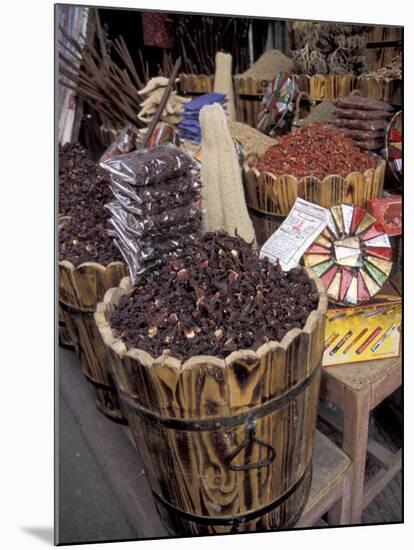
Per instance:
x=196, y=349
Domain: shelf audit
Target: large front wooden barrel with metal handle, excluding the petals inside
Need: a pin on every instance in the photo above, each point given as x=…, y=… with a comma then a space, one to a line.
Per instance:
x=227, y=444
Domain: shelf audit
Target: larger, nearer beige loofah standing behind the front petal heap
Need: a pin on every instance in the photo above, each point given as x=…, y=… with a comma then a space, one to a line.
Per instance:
x=224, y=204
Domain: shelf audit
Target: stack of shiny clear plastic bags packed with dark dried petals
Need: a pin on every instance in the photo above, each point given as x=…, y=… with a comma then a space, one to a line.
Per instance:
x=153, y=212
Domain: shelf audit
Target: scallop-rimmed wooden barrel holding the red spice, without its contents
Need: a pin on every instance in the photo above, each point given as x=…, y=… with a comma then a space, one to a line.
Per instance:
x=269, y=198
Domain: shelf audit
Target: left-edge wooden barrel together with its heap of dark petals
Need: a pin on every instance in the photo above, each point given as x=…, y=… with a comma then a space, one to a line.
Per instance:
x=89, y=265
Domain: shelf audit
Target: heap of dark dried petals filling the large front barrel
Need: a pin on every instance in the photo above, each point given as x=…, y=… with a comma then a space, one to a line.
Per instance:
x=213, y=298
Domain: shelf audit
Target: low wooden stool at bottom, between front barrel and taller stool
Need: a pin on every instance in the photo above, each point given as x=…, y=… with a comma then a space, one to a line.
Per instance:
x=331, y=485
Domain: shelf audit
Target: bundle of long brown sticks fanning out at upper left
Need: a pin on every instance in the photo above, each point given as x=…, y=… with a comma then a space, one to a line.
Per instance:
x=109, y=88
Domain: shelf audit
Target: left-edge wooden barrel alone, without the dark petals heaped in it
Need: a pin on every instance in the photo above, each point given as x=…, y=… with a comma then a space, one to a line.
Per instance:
x=80, y=289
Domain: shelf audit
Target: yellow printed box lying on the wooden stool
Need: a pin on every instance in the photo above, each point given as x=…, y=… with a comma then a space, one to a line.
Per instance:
x=365, y=332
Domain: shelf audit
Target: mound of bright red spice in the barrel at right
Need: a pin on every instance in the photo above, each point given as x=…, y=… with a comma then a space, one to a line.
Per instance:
x=315, y=150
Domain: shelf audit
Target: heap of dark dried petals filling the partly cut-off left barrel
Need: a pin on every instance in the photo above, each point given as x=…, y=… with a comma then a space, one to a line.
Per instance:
x=83, y=192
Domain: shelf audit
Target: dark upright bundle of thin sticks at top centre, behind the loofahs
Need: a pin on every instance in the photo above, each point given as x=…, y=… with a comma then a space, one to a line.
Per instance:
x=200, y=37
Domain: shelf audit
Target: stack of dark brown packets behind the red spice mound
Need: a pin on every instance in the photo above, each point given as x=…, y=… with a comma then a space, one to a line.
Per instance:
x=363, y=120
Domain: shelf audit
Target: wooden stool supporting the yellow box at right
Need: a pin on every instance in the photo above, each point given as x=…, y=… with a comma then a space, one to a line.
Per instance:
x=357, y=389
